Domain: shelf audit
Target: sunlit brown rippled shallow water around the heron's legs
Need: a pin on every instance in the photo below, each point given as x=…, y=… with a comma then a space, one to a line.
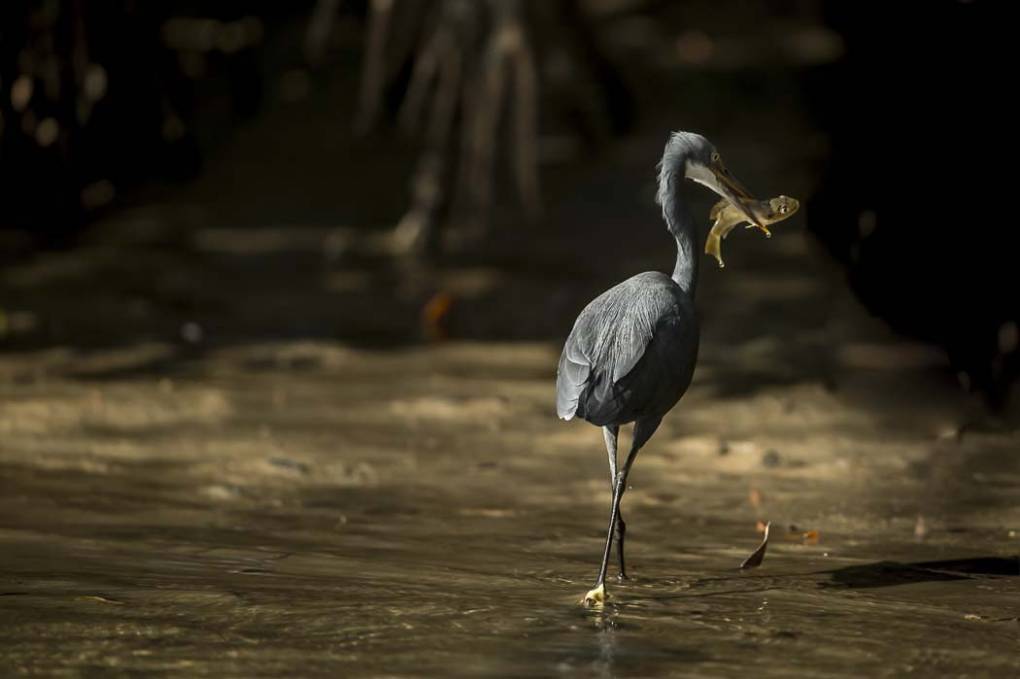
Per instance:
x=260, y=515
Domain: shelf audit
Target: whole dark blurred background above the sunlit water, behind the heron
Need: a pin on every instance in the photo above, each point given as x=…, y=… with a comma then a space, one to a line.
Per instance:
x=260, y=113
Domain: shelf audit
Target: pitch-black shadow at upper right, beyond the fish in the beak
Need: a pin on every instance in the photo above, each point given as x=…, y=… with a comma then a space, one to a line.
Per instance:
x=928, y=267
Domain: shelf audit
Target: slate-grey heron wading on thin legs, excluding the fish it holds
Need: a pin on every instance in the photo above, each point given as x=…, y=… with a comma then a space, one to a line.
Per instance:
x=633, y=350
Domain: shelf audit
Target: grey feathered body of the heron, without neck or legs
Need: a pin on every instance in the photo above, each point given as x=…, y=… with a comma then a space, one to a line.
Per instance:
x=631, y=354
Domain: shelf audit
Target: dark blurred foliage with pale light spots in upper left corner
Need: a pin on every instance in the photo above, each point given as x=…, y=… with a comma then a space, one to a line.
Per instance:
x=96, y=96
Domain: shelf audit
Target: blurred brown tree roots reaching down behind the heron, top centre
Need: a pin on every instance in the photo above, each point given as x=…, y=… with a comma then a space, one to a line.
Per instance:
x=476, y=71
